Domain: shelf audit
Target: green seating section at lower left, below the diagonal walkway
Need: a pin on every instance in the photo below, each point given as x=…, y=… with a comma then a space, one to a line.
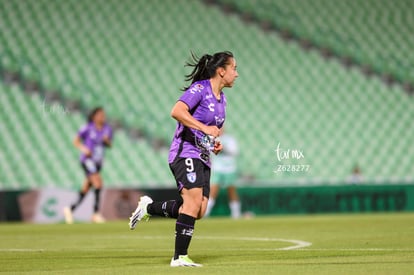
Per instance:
x=37, y=148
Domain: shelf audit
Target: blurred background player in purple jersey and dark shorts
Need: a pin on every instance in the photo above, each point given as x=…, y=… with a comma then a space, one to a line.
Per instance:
x=91, y=140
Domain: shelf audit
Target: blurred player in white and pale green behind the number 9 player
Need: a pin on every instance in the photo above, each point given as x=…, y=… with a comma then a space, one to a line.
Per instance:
x=224, y=174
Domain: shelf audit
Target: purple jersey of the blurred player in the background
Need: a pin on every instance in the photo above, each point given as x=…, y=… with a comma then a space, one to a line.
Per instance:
x=92, y=138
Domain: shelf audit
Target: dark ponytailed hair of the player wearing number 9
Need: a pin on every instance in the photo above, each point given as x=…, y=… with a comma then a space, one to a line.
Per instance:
x=206, y=66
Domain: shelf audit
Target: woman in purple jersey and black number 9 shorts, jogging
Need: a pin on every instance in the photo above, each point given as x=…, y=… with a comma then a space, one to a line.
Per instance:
x=200, y=113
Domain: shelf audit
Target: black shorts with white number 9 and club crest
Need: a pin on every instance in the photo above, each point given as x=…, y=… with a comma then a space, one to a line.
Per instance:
x=191, y=173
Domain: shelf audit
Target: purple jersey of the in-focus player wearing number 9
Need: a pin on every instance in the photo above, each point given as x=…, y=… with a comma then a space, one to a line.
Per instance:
x=204, y=106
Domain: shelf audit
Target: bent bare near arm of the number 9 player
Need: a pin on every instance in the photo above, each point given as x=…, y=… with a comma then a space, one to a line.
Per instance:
x=181, y=113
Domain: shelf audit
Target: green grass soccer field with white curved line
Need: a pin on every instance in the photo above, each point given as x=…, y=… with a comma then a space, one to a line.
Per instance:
x=340, y=244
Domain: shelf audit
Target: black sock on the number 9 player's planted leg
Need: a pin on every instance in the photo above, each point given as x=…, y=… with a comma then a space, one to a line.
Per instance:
x=184, y=229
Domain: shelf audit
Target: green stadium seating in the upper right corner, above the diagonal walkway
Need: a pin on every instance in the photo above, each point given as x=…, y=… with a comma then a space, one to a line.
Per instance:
x=374, y=32
